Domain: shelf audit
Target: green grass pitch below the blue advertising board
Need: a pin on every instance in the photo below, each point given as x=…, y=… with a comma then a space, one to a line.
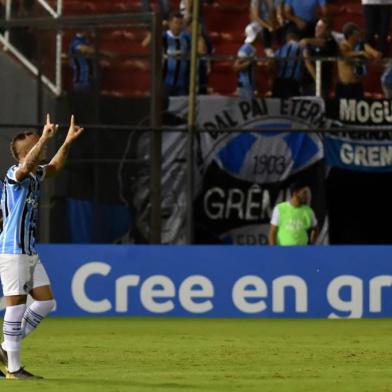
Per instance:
x=133, y=354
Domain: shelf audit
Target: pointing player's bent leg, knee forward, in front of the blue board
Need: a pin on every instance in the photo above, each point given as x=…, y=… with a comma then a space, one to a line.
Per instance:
x=43, y=302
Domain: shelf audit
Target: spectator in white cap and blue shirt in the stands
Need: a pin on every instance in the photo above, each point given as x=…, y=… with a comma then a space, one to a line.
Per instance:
x=246, y=63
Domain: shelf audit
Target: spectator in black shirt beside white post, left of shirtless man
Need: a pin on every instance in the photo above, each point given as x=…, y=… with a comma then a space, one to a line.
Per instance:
x=322, y=45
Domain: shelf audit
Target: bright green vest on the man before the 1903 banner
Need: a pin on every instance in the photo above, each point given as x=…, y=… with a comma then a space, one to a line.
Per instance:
x=294, y=222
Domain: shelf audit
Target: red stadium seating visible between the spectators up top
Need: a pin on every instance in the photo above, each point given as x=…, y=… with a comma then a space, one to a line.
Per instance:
x=225, y=20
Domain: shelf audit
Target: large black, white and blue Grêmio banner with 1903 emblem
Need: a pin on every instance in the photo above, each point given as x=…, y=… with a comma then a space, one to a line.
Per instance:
x=240, y=177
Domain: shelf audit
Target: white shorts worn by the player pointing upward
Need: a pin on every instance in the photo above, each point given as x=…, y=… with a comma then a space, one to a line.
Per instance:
x=20, y=274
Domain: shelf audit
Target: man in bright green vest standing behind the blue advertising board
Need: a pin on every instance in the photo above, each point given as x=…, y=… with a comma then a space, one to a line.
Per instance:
x=291, y=220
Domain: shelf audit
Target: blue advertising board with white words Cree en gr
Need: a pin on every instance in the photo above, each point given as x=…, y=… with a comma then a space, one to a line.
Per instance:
x=220, y=281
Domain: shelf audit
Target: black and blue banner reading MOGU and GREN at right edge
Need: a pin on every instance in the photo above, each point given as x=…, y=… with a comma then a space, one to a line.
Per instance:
x=370, y=147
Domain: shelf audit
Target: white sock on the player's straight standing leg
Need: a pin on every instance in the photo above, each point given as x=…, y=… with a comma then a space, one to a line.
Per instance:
x=12, y=332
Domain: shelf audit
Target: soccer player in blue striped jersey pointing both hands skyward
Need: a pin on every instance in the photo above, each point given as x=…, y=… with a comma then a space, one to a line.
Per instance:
x=21, y=270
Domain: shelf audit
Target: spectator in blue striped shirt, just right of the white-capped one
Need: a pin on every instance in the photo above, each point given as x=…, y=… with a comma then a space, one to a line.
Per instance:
x=289, y=65
